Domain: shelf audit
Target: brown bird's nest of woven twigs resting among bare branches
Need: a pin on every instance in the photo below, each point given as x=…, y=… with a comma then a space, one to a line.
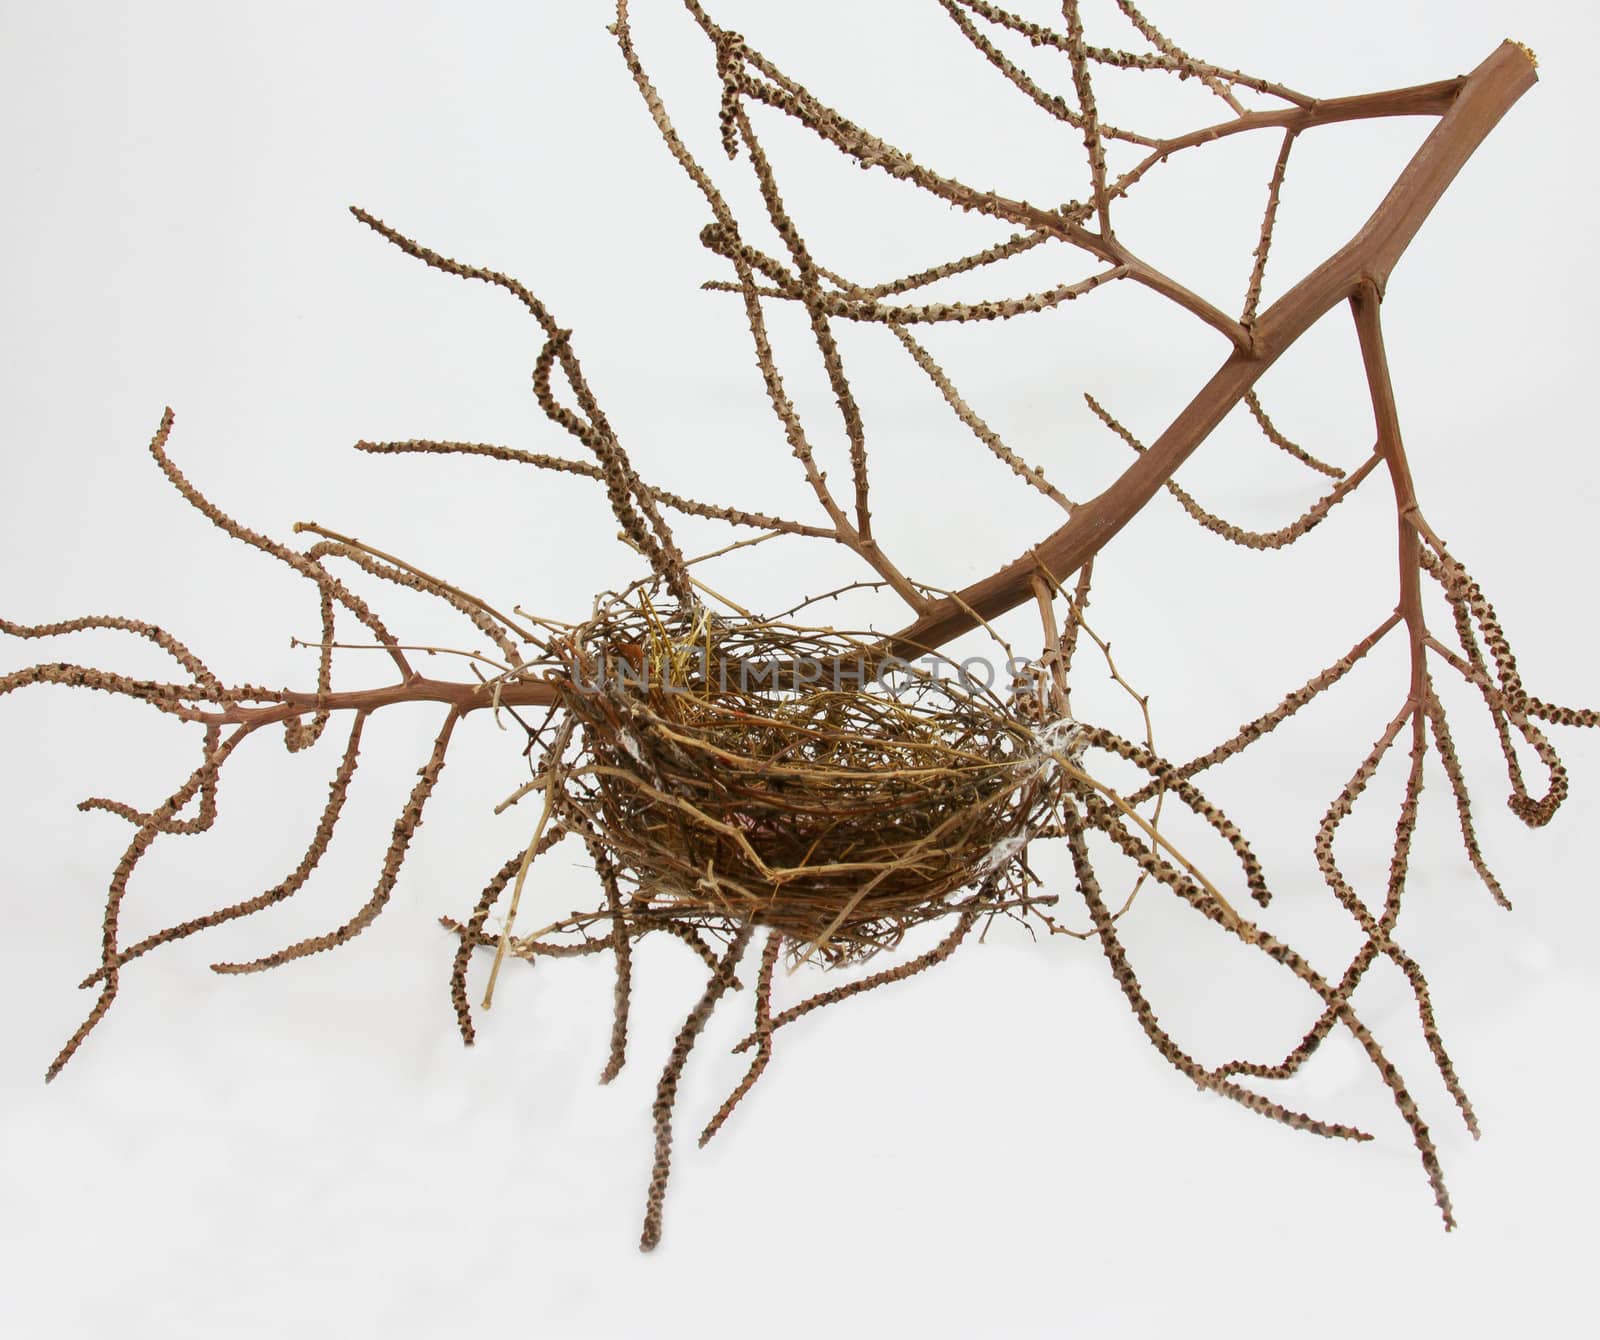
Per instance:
x=746, y=772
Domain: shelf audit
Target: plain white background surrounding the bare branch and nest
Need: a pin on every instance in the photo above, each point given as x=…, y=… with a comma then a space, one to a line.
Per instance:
x=990, y=1149
